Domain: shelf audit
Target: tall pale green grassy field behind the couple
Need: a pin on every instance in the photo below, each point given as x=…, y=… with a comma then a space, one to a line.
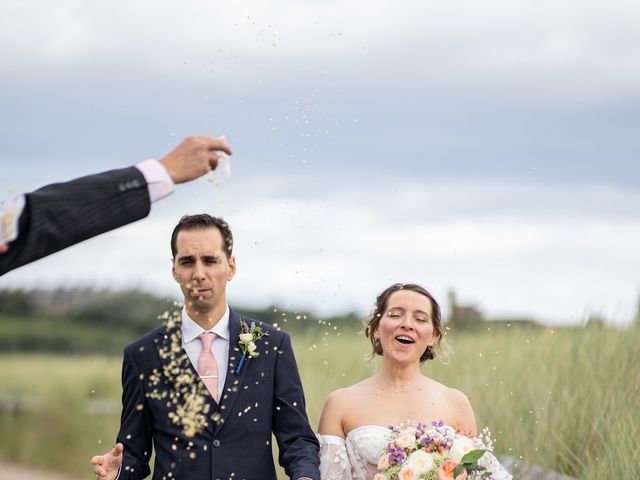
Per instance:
x=568, y=400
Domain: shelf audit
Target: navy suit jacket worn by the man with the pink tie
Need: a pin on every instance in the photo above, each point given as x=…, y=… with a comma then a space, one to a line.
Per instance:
x=265, y=397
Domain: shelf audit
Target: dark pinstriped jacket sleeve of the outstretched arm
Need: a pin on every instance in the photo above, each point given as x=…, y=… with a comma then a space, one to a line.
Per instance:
x=62, y=214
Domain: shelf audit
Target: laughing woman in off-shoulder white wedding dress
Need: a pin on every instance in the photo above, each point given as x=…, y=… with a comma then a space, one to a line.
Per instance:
x=405, y=328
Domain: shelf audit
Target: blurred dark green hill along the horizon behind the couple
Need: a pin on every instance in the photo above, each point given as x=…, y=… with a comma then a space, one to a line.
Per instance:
x=105, y=321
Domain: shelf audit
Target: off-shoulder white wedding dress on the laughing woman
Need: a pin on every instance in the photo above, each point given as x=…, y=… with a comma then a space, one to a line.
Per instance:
x=356, y=456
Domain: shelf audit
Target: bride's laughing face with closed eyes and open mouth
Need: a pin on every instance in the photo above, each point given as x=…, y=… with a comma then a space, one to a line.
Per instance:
x=406, y=329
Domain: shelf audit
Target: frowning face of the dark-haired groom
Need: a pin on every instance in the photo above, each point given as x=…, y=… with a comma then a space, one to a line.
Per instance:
x=202, y=269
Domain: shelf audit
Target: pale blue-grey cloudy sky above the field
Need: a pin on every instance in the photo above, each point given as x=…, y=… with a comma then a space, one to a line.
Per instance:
x=490, y=147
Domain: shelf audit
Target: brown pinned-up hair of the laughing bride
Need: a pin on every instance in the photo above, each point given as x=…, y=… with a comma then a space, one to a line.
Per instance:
x=373, y=320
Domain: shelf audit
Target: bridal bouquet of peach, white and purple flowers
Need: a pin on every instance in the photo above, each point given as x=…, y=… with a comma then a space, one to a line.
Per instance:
x=438, y=452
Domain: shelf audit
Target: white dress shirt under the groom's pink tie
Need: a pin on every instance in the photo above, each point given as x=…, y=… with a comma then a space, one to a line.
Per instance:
x=220, y=346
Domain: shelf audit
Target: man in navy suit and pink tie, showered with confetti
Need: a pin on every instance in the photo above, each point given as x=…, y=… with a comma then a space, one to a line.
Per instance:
x=209, y=412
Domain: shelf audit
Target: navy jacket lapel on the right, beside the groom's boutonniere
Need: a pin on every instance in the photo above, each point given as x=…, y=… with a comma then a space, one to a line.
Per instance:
x=233, y=382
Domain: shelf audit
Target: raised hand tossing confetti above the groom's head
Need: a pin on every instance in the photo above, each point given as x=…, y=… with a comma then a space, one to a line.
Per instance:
x=193, y=157
